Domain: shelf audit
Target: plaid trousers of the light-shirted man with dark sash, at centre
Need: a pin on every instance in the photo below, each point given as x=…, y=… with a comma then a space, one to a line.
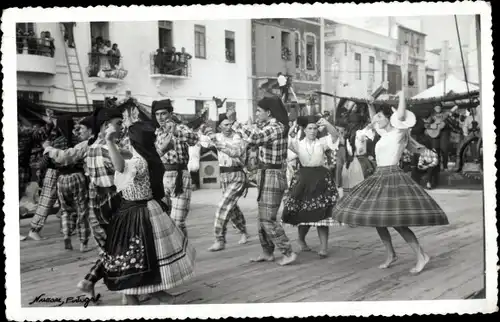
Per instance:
x=232, y=185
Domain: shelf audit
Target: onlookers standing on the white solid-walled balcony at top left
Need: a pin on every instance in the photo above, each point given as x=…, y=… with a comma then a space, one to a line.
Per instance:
x=27, y=42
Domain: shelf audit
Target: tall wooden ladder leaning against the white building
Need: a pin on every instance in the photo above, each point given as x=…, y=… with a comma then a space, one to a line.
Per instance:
x=75, y=74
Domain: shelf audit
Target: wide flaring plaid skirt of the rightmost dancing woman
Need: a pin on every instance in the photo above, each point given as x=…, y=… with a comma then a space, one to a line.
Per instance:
x=389, y=198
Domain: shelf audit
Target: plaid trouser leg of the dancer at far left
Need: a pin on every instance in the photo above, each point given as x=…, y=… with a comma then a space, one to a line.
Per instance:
x=48, y=198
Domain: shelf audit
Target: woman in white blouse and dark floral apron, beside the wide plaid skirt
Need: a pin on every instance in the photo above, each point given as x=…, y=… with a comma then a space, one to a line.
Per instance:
x=313, y=192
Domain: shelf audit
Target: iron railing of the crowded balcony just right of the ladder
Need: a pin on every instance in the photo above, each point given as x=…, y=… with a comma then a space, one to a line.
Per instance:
x=106, y=66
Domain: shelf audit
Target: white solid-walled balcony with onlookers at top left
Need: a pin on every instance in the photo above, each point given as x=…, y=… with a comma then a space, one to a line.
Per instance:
x=35, y=55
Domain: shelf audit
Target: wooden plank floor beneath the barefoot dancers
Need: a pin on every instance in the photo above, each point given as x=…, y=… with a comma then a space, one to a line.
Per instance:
x=350, y=273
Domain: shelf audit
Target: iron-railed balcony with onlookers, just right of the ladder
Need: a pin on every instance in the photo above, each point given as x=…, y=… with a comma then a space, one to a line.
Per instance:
x=106, y=69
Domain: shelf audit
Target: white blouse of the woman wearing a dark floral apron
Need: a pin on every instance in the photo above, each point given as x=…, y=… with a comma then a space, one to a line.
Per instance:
x=312, y=153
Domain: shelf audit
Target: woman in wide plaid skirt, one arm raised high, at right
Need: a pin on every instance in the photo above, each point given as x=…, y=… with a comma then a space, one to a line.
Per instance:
x=390, y=197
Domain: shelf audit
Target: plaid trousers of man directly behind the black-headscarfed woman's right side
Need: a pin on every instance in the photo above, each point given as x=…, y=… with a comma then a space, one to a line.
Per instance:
x=179, y=204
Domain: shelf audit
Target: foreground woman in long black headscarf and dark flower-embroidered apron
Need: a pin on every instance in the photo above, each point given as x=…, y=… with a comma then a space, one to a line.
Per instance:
x=145, y=252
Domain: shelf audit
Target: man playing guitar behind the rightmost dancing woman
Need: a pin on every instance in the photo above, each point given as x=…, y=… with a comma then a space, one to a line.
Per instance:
x=439, y=132
